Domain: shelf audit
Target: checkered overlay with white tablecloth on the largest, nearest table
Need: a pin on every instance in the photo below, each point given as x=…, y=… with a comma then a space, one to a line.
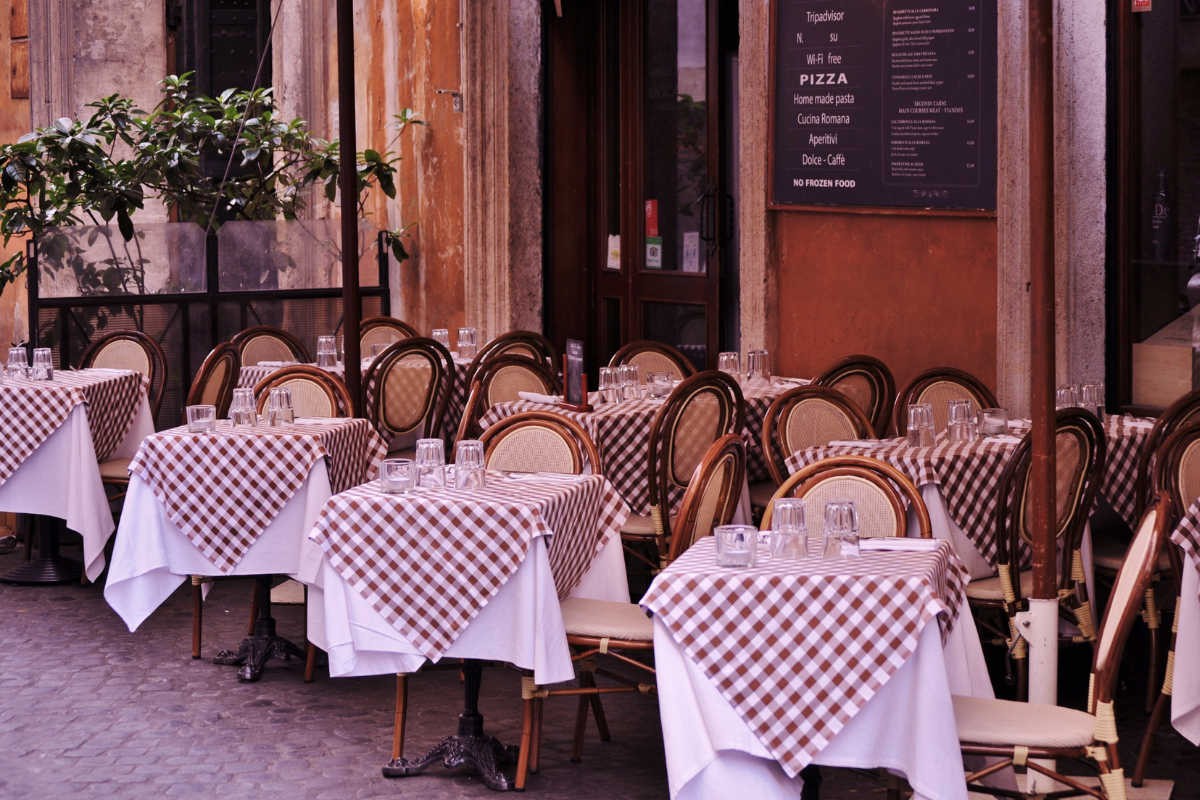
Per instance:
x=847, y=663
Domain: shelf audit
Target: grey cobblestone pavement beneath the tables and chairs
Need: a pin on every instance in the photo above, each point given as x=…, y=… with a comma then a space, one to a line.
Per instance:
x=89, y=711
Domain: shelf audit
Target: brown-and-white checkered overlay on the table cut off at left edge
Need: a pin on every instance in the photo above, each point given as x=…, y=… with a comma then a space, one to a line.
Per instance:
x=31, y=411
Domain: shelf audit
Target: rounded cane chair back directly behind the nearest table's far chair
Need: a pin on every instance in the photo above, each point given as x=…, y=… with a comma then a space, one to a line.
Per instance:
x=809, y=417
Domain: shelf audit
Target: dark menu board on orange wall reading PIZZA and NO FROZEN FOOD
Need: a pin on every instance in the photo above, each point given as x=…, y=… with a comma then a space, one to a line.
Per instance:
x=885, y=103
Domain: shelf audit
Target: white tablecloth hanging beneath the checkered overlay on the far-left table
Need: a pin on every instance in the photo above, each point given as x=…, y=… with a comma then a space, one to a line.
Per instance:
x=62, y=479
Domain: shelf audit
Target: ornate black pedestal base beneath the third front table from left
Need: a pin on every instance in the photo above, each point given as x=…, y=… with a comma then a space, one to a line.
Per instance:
x=470, y=747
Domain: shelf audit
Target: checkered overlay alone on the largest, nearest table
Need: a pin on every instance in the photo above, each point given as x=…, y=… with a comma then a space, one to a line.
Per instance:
x=799, y=648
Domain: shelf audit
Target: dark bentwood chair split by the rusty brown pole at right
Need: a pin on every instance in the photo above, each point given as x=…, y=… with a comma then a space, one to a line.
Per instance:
x=1079, y=465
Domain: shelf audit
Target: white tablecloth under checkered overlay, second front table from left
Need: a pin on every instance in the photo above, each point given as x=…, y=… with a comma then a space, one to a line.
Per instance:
x=153, y=557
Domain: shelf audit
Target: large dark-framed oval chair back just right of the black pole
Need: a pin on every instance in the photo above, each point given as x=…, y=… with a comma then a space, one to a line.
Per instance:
x=410, y=386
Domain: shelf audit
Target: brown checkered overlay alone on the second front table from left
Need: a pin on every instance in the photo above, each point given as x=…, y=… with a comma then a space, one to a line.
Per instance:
x=225, y=489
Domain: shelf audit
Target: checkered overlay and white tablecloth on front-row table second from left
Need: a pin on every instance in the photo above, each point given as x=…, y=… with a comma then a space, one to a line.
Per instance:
x=236, y=502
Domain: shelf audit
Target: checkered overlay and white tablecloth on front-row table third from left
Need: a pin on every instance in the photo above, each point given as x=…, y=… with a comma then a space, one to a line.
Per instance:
x=472, y=574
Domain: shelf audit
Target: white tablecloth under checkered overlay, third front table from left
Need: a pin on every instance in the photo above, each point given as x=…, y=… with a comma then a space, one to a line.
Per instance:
x=521, y=625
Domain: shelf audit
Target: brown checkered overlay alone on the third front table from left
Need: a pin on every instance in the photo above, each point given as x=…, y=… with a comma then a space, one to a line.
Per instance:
x=430, y=561
